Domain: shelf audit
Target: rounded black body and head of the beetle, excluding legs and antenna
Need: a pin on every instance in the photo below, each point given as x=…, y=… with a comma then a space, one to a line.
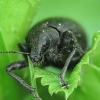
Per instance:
x=49, y=41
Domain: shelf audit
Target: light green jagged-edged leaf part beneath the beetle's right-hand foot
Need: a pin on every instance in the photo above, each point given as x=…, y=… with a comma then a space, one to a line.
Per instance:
x=53, y=81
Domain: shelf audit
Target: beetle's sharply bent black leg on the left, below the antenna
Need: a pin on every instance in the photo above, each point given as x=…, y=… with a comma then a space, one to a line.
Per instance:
x=17, y=66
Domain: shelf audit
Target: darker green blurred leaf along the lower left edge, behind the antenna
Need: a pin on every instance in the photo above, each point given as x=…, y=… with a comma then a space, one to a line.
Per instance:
x=6, y=82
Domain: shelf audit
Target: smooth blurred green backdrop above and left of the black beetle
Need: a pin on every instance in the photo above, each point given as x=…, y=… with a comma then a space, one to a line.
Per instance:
x=17, y=17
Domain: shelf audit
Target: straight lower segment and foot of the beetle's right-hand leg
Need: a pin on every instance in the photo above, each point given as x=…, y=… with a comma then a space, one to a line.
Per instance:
x=63, y=72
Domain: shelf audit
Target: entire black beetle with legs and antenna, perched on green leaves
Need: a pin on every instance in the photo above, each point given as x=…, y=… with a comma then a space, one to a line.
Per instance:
x=54, y=40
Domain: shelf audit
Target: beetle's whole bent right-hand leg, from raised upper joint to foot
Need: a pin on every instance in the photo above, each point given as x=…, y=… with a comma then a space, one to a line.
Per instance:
x=76, y=47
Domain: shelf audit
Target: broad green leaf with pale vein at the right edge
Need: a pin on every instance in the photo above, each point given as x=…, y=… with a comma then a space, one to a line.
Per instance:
x=89, y=84
